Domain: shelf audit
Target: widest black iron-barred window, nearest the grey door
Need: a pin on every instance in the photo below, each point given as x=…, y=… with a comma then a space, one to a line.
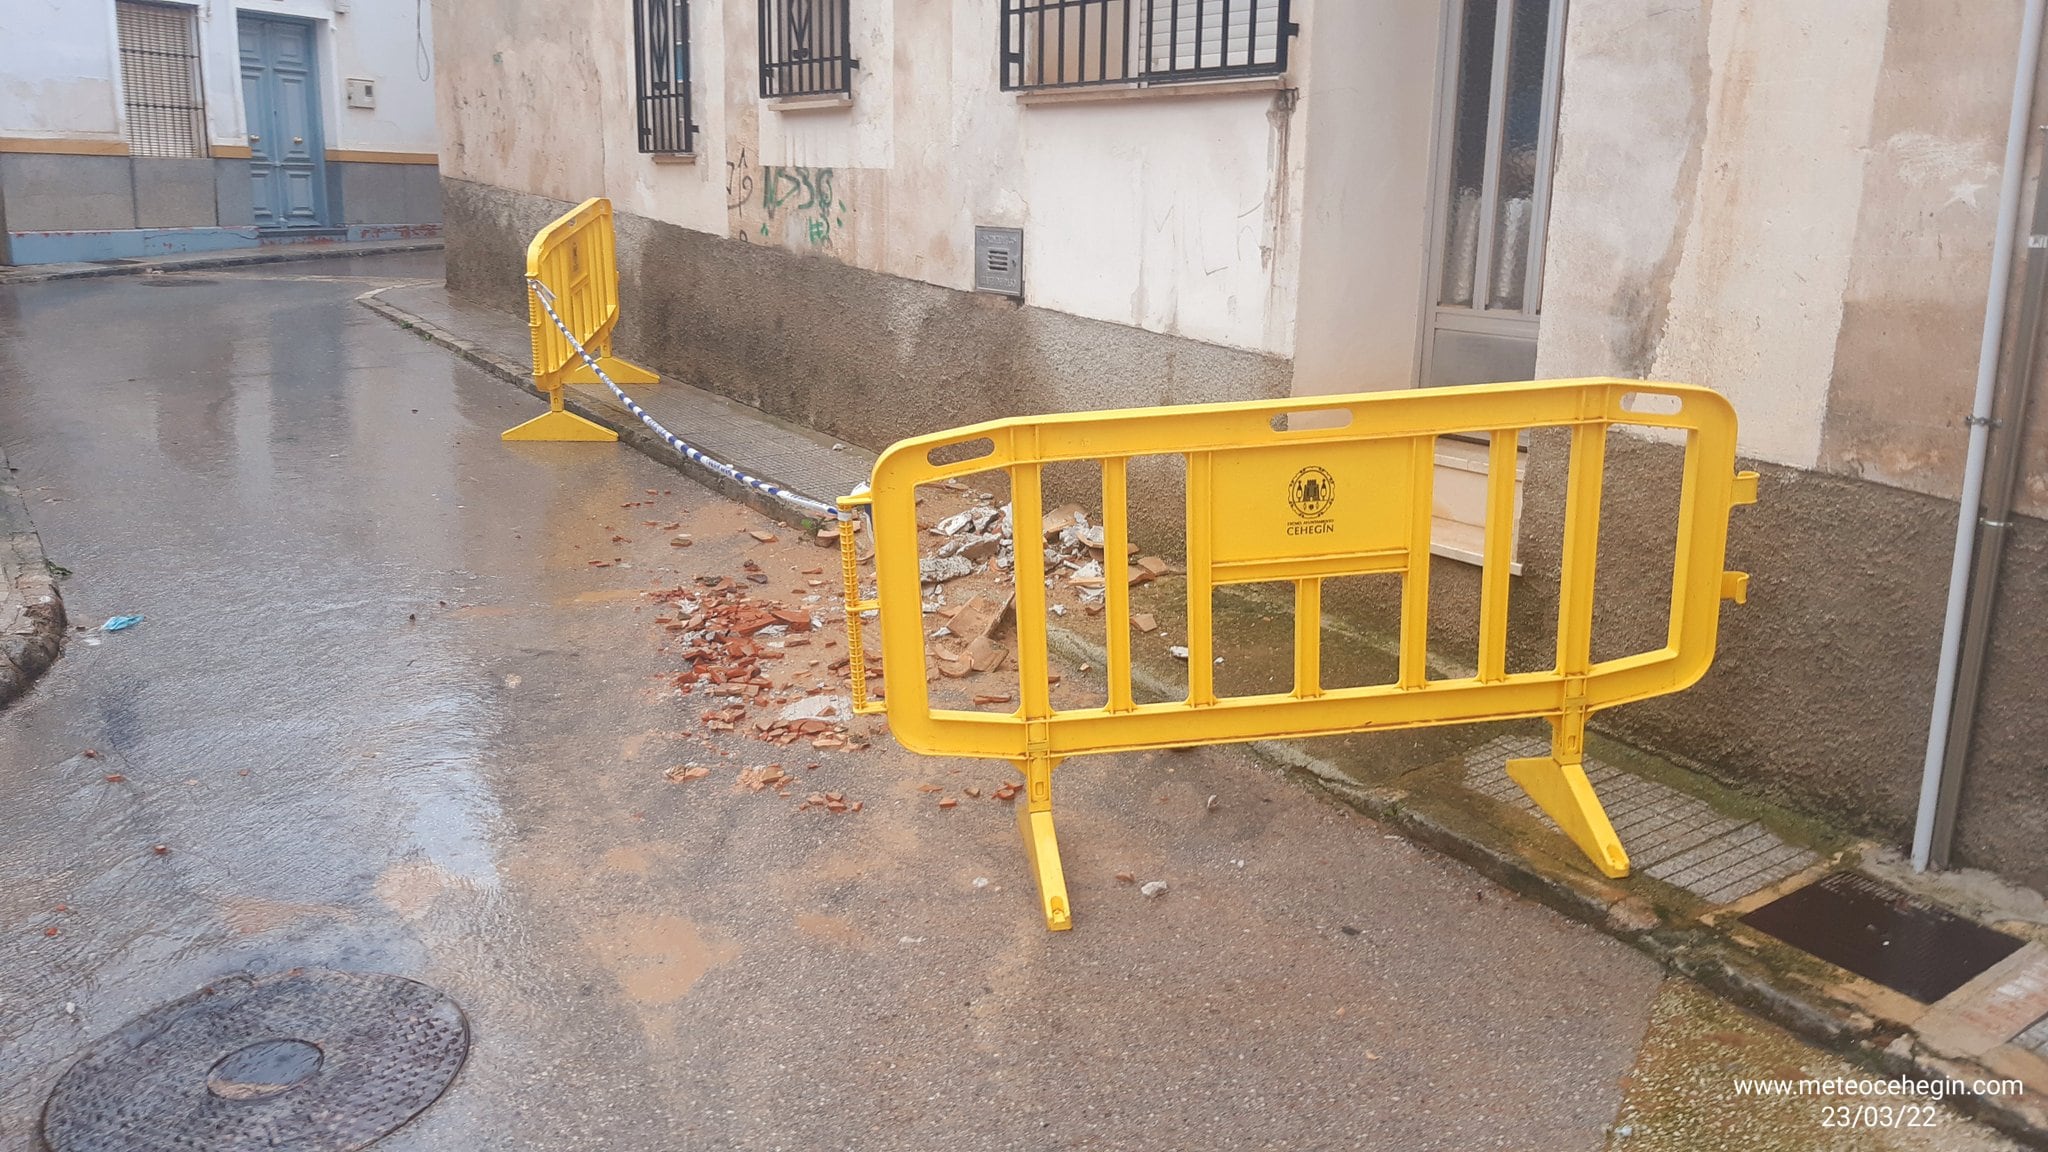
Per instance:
x=1070, y=44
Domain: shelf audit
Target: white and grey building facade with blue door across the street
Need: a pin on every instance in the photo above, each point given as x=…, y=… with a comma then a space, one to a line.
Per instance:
x=138, y=128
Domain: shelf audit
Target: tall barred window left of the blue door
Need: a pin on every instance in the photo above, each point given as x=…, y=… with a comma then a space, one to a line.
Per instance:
x=161, y=81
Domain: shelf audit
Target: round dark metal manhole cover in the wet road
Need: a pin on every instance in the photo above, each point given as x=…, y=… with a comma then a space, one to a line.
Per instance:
x=310, y=1061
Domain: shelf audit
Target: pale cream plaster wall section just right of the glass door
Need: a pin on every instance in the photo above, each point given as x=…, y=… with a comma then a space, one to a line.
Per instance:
x=1707, y=233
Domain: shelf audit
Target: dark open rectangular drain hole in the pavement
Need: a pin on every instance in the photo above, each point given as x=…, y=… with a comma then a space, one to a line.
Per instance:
x=1883, y=934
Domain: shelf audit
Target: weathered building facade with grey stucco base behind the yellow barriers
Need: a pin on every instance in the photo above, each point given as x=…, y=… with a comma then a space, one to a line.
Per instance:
x=888, y=216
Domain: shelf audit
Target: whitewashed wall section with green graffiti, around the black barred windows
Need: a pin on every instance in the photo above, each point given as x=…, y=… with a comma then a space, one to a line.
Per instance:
x=1160, y=212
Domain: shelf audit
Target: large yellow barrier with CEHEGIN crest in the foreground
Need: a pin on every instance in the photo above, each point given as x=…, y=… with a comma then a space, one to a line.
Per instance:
x=1304, y=507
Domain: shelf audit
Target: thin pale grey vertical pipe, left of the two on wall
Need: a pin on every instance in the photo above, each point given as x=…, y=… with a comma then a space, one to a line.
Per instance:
x=1973, y=475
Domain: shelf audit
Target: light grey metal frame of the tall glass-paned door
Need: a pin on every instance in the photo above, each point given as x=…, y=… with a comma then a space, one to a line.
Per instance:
x=1498, y=323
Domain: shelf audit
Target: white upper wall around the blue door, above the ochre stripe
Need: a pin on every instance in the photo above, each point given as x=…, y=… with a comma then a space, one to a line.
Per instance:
x=60, y=71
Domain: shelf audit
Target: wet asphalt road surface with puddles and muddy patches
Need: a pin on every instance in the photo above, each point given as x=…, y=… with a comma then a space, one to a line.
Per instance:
x=384, y=714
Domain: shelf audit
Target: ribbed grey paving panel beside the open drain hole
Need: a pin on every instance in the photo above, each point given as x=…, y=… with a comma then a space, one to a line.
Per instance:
x=1670, y=835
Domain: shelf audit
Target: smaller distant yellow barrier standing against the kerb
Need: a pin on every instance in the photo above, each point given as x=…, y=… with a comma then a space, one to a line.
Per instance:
x=577, y=259
